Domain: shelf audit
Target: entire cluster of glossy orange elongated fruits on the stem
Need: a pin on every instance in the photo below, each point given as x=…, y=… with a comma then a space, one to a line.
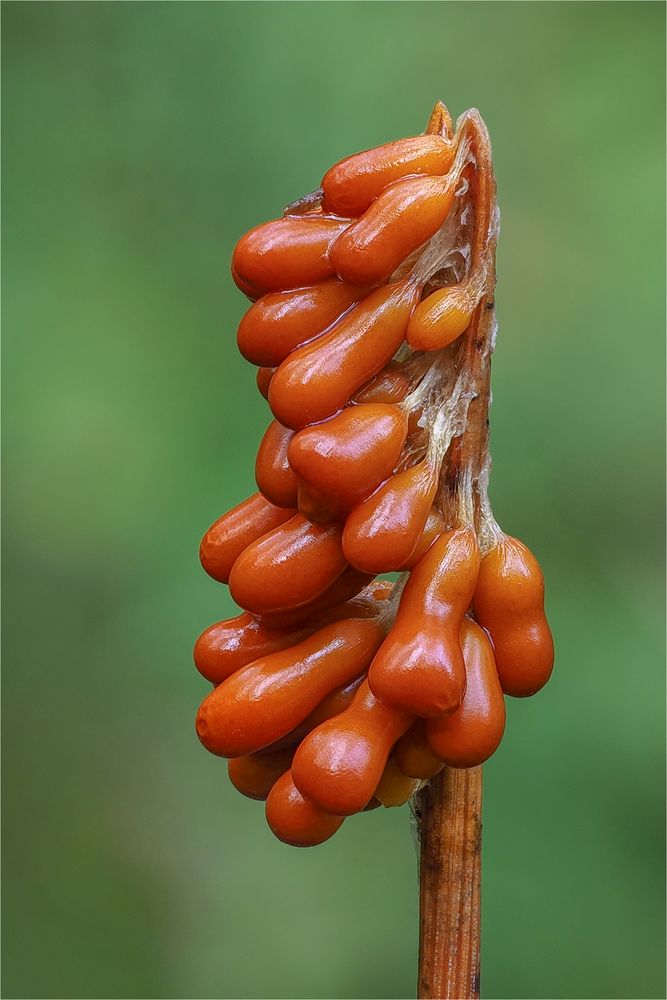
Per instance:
x=334, y=691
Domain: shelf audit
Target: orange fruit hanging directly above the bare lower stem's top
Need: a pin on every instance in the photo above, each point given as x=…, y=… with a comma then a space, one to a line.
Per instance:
x=472, y=733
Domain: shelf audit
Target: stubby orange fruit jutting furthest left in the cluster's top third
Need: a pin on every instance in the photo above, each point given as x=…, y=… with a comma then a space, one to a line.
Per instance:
x=285, y=253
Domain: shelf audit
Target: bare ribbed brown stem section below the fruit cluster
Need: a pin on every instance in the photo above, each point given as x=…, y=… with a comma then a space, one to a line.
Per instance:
x=451, y=850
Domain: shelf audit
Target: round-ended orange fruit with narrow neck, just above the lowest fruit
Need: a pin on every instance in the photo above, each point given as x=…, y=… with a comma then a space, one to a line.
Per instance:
x=339, y=765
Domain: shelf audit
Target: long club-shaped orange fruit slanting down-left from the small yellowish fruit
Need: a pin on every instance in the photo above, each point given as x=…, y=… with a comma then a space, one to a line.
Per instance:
x=318, y=379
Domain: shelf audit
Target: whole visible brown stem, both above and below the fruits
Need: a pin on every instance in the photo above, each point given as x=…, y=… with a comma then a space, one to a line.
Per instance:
x=449, y=809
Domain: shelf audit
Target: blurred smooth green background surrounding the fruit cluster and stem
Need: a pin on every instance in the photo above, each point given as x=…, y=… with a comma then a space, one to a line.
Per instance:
x=140, y=141
